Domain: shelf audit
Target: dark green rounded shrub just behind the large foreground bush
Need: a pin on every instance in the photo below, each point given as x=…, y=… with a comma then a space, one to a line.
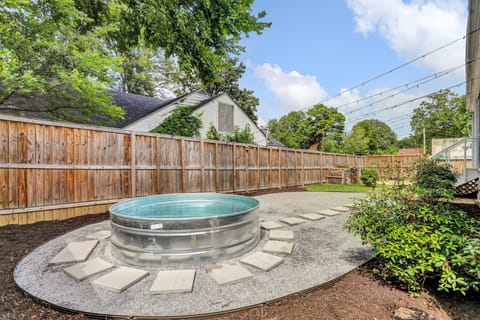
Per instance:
x=436, y=179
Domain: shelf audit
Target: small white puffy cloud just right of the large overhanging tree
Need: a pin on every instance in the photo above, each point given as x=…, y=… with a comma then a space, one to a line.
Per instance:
x=292, y=90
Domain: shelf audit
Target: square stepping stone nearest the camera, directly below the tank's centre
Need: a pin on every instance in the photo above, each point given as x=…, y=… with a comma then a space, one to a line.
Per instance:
x=173, y=281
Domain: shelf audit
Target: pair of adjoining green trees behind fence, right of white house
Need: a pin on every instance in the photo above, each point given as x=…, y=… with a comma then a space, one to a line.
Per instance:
x=320, y=125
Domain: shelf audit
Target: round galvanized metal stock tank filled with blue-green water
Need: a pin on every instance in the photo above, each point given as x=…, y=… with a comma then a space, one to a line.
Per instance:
x=183, y=228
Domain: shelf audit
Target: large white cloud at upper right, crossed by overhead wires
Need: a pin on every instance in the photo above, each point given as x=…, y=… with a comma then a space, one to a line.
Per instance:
x=415, y=27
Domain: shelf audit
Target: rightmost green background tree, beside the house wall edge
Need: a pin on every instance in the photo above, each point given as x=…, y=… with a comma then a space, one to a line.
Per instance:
x=443, y=115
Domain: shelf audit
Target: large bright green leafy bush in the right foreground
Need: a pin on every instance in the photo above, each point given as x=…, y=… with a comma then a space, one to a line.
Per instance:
x=416, y=239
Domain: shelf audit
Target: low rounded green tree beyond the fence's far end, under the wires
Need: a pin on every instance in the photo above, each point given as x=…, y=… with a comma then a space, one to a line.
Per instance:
x=370, y=137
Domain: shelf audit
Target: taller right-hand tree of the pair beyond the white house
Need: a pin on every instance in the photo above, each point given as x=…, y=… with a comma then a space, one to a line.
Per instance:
x=323, y=123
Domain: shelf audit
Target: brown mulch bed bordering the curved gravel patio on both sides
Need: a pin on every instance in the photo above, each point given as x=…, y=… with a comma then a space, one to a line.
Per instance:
x=359, y=295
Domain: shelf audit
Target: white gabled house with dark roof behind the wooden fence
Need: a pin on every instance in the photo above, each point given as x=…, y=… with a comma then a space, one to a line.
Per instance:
x=146, y=113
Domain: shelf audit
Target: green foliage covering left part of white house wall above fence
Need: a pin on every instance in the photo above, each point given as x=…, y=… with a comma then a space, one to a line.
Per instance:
x=181, y=122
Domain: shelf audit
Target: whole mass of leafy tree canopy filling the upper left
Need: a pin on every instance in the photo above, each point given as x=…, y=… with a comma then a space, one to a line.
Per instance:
x=63, y=55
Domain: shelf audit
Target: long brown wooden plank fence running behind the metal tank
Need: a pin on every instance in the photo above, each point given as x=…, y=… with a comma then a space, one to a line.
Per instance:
x=52, y=170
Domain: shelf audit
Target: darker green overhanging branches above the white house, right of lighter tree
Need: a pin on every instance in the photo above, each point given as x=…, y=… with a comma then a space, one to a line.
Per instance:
x=199, y=34
